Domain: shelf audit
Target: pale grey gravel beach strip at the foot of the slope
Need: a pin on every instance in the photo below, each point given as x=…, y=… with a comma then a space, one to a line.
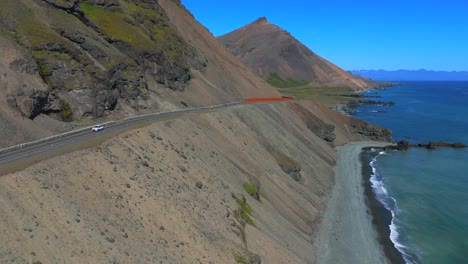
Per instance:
x=347, y=234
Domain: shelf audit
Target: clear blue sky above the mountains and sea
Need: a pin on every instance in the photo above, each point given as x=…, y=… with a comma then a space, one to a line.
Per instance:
x=360, y=34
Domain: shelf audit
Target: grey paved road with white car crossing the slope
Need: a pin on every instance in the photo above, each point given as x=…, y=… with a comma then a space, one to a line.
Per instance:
x=18, y=153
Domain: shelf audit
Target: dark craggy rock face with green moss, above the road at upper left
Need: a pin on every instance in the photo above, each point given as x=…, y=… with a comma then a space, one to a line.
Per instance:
x=92, y=54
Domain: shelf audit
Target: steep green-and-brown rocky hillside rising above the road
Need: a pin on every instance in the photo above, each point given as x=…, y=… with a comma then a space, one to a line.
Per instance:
x=75, y=60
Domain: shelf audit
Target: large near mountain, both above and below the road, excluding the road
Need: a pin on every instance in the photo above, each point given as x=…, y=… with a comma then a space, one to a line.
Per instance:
x=244, y=183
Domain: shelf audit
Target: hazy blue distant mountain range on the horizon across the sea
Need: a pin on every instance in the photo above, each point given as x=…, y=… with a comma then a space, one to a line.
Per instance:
x=413, y=75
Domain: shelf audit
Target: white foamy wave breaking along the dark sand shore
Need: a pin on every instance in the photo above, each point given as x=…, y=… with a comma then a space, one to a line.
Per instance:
x=381, y=192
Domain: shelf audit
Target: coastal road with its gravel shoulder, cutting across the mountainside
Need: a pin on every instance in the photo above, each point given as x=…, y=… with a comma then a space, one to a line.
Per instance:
x=16, y=157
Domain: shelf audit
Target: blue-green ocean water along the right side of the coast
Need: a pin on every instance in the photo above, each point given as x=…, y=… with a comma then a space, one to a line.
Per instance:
x=427, y=191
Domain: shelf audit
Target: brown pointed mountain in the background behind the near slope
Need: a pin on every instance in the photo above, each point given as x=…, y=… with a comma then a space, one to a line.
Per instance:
x=273, y=53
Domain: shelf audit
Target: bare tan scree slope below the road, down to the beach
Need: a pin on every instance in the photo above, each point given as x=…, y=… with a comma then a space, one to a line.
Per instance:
x=246, y=182
